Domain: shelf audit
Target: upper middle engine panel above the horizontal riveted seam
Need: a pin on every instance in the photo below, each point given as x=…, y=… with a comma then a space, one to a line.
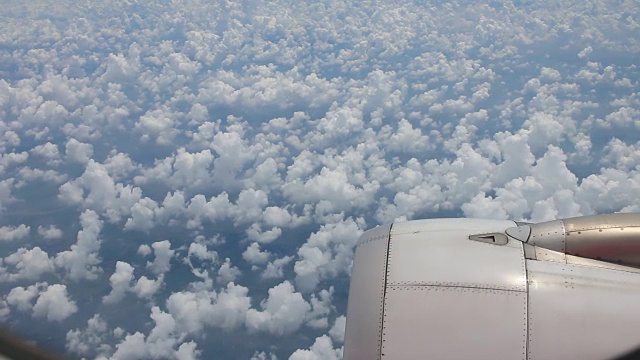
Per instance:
x=439, y=252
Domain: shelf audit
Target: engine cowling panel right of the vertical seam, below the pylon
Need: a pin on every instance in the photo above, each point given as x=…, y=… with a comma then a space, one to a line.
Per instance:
x=581, y=312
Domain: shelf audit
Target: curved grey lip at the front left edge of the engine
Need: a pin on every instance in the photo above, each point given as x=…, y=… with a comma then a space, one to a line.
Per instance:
x=366, y=294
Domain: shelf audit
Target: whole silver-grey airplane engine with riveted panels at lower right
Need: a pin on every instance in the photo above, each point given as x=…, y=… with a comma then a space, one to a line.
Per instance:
x=489, y=289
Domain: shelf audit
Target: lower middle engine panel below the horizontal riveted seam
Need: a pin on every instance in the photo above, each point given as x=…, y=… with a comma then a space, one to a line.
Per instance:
x=431, y=322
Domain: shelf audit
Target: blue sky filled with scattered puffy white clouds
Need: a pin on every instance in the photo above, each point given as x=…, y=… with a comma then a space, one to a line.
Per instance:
x=187, y=179
